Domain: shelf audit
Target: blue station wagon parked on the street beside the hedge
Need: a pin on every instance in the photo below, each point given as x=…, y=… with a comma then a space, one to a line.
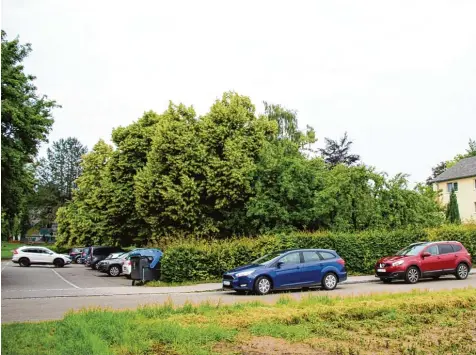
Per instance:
x=289, y=269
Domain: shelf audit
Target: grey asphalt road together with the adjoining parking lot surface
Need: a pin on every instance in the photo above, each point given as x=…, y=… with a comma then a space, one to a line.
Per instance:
x=47, y=293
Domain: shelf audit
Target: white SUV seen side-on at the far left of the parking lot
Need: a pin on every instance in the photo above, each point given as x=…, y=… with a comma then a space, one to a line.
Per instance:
x=30, y=255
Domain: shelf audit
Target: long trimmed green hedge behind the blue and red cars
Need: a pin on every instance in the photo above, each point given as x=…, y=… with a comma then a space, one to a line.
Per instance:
x=202, y=260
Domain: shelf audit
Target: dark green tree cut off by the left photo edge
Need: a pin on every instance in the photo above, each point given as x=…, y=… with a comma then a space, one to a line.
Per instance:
x=26, y=122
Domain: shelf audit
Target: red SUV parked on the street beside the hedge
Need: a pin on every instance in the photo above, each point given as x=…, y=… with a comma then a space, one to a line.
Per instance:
x=425, y=260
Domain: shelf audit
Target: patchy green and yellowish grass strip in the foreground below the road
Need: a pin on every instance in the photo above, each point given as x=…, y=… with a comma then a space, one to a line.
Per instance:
x=410, y=323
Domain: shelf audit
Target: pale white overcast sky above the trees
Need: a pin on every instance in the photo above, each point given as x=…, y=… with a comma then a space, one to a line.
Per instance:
x=400, y=77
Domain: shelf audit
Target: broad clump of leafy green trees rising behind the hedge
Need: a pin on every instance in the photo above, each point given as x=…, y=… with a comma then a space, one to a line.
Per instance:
x=229, y=172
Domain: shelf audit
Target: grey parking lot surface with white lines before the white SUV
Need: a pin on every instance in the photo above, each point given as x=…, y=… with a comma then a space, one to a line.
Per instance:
x=43, y=278
